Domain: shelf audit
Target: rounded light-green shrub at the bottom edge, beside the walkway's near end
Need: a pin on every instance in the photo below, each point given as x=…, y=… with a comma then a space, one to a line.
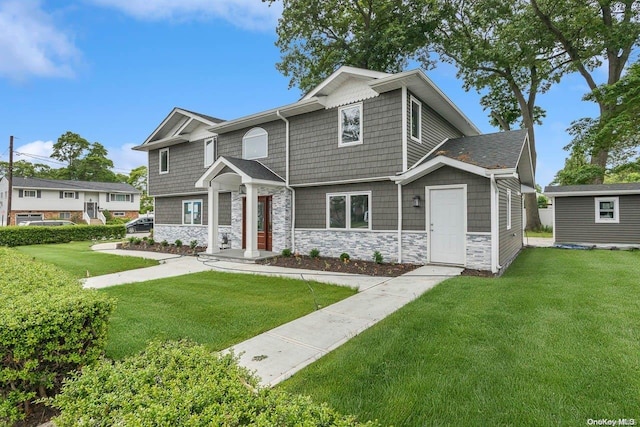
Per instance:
x=181, y=383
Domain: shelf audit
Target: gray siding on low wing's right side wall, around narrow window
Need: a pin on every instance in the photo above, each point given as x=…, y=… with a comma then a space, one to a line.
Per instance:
x=510, y=240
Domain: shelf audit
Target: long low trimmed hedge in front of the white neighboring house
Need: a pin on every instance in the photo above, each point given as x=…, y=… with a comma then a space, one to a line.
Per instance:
x=28, y=235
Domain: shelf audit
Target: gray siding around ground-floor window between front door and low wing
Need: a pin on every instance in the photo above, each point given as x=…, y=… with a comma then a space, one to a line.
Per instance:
x=311, y=204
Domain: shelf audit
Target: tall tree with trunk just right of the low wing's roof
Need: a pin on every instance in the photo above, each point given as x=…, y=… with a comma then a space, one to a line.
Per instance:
x=497, y=47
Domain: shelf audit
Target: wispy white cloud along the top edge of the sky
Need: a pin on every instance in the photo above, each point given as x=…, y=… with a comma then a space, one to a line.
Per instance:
x=247, y=14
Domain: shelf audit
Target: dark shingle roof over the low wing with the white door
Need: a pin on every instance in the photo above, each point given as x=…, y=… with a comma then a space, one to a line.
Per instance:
x=498, y=150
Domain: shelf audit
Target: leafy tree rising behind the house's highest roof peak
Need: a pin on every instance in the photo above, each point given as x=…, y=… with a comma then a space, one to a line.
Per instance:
x=315, y=37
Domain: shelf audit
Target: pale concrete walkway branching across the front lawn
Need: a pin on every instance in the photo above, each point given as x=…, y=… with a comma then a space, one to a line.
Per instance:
x=281, y=352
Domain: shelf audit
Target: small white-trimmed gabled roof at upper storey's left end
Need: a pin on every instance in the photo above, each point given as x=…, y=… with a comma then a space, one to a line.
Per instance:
x=175, y=128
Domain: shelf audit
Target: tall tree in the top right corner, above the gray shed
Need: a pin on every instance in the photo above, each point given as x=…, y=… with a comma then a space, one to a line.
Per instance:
x=591, y=32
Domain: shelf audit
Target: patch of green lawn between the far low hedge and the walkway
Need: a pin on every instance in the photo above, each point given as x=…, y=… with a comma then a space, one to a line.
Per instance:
x=77, y=258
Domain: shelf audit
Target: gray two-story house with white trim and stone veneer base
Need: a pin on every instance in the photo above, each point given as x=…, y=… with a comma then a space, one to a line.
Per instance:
x=366, y=161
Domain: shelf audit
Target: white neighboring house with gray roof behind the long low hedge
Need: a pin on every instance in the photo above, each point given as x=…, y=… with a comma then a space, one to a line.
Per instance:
x=35, y=199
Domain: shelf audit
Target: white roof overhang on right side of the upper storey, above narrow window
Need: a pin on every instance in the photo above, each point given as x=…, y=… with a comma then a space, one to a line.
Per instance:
x=421, y=85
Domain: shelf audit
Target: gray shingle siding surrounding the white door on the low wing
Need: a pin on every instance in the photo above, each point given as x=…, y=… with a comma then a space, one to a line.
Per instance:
x=478, y=199
